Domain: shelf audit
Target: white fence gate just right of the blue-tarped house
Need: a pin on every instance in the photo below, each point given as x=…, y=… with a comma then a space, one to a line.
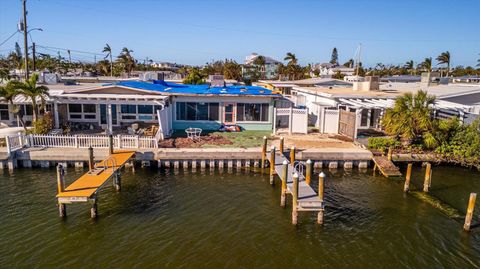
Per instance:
x=297, y=119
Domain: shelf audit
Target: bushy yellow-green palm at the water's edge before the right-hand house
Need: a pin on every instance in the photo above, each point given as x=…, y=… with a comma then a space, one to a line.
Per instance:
x=411, y=118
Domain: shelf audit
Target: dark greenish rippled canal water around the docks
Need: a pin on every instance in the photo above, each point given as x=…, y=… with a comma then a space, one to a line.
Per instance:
x=167, y=219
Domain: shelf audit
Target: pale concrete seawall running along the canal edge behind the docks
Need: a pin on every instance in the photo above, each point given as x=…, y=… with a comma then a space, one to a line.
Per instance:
x=191, y=157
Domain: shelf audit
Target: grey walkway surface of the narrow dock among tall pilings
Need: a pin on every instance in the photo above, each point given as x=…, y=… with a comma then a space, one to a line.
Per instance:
x=307, y=198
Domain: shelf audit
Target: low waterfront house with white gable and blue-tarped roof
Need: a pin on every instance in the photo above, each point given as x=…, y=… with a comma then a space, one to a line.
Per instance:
x=173, y=106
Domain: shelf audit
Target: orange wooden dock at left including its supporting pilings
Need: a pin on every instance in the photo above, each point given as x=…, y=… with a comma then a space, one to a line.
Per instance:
x=85, y=188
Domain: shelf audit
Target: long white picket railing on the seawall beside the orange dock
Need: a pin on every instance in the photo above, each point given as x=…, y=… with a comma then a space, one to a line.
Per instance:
x=95, y=141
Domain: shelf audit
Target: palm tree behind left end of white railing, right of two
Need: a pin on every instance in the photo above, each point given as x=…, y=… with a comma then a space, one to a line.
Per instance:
x=29, y=89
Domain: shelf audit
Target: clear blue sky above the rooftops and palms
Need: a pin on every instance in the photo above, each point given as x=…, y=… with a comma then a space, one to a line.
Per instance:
x=196, y=32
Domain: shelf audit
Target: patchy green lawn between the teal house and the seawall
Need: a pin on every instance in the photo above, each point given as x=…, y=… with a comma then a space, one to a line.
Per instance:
x=245, y=139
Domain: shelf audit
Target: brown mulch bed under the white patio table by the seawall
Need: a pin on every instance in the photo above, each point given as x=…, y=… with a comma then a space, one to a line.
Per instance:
x=183, y=142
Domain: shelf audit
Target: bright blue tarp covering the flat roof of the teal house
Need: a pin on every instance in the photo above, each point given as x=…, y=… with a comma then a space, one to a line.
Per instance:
x=173, y=88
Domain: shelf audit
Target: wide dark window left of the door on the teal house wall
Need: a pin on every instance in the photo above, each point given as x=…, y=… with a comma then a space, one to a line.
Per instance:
x=197, y=111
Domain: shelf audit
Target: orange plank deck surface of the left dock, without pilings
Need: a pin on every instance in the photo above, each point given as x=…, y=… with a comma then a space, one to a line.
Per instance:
x=85, y=187
